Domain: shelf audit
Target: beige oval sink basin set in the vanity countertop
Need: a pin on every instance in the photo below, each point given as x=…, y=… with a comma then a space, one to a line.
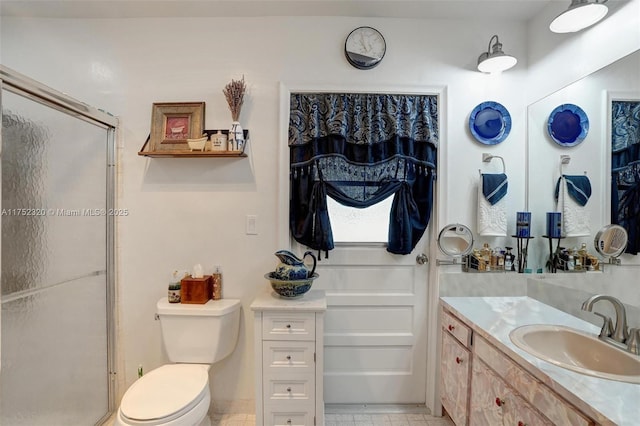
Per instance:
x=578, y=351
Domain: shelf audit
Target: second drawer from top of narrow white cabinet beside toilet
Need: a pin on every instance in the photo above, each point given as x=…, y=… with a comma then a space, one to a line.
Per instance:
x=288, y=357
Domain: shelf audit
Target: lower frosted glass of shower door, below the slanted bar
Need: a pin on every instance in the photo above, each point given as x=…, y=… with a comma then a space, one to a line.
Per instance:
x=54, y=356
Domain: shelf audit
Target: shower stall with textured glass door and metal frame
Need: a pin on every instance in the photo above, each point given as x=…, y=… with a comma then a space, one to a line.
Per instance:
x=57, y=257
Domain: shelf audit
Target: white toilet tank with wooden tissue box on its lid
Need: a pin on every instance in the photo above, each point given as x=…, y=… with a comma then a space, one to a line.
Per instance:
x=202, y=334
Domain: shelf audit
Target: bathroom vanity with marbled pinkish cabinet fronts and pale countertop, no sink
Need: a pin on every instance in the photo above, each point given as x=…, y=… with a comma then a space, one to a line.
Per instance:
x=486, y=379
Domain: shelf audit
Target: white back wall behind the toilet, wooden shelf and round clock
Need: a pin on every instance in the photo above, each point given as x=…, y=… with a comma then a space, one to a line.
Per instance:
x=186, y=211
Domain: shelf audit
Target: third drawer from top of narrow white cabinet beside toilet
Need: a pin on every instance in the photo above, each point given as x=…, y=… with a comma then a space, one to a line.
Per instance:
x=292, y=389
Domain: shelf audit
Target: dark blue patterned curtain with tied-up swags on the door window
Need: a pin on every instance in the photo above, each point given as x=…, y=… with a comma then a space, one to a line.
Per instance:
x=360, y=149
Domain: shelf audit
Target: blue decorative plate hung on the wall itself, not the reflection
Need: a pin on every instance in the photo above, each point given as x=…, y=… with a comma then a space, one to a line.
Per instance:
x=490, y=123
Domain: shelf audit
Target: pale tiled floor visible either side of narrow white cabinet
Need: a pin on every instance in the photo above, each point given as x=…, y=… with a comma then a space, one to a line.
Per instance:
x=373, y=419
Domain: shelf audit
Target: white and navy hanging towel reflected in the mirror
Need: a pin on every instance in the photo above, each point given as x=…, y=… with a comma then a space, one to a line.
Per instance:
x=572, y=194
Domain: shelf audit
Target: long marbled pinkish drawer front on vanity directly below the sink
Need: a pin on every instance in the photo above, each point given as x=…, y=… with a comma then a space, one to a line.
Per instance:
x=538, y=394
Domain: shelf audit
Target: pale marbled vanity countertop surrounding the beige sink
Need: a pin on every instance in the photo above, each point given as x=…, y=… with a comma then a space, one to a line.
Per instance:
x=606, y=401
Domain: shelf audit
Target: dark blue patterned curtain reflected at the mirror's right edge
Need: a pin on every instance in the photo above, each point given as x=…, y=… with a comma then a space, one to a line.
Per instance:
x=625, y=170
